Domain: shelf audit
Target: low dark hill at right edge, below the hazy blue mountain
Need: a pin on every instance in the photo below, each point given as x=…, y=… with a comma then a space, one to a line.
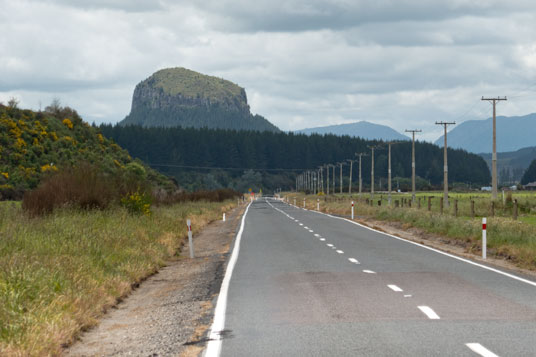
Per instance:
x=511, y=165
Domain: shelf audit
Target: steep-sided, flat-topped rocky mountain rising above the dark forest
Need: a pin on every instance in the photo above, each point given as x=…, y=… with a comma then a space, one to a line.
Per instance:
x=180, y=97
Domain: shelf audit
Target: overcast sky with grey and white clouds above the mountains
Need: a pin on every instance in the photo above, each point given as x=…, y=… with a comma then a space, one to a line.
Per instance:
x=303, y=63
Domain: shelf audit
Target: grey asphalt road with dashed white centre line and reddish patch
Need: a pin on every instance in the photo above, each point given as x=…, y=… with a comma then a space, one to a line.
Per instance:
x=308, y=284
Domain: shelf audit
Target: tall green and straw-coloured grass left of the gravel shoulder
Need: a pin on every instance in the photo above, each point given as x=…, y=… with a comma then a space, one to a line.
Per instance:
x=59, y=273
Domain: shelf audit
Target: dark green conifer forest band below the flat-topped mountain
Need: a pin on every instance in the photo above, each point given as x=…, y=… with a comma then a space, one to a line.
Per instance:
x=267, y=151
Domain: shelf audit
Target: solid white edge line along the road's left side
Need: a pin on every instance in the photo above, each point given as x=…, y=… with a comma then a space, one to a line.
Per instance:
x=215, y=341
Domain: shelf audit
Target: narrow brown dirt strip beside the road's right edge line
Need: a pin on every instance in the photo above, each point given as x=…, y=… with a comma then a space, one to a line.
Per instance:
x=446, y=244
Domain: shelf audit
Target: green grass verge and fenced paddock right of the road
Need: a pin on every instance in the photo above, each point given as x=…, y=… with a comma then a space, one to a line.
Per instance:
x=514, y=240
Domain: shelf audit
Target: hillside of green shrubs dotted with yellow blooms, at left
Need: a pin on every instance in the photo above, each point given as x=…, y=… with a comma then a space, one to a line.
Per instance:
x=34, y=144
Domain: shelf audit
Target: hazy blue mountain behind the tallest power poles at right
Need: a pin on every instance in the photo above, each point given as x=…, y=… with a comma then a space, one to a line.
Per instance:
x=513, y=133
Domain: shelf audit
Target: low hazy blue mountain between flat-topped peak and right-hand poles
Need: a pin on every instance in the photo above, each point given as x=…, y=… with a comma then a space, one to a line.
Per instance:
x=362, y=129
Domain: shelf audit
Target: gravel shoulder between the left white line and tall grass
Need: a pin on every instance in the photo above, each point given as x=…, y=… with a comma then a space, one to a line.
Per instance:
x=170, y=313
